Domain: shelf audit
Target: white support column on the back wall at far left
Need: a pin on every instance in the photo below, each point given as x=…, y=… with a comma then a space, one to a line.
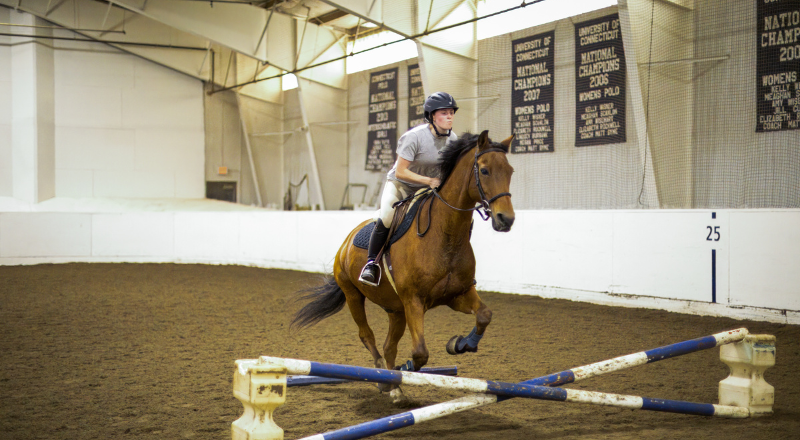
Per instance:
x=33, y=115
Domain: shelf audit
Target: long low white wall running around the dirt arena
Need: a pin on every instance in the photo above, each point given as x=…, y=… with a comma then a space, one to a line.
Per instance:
x=655, y=259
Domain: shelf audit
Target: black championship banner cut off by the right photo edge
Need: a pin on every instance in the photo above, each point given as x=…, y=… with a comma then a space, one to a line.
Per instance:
x=778, y=65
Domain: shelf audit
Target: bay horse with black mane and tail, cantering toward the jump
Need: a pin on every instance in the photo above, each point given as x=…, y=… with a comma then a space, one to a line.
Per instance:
x=435, y=269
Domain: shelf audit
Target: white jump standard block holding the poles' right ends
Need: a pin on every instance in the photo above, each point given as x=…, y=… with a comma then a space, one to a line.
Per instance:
x=745, y=386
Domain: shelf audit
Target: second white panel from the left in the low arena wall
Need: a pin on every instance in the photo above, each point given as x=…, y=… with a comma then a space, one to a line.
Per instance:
x=133, y=234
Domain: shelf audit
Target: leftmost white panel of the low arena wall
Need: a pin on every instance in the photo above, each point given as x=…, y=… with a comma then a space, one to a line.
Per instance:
x=45, y=235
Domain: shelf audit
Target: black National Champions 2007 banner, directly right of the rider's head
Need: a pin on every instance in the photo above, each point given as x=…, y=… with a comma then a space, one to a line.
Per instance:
x=532, y=93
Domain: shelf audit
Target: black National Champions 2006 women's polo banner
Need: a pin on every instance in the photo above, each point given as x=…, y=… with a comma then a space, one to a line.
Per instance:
x=599, y=82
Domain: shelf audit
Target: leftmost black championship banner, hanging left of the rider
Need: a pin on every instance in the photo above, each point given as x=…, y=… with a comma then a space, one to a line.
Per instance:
x=382, y=128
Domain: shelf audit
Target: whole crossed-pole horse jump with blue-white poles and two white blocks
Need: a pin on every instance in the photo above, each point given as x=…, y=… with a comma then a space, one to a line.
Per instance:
x=260, y=385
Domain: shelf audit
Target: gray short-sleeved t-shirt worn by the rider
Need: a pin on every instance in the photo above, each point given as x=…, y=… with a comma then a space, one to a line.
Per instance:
x=420, y=147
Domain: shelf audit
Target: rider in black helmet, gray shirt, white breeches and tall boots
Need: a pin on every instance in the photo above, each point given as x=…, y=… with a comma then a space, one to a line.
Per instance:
x=416, y=167
